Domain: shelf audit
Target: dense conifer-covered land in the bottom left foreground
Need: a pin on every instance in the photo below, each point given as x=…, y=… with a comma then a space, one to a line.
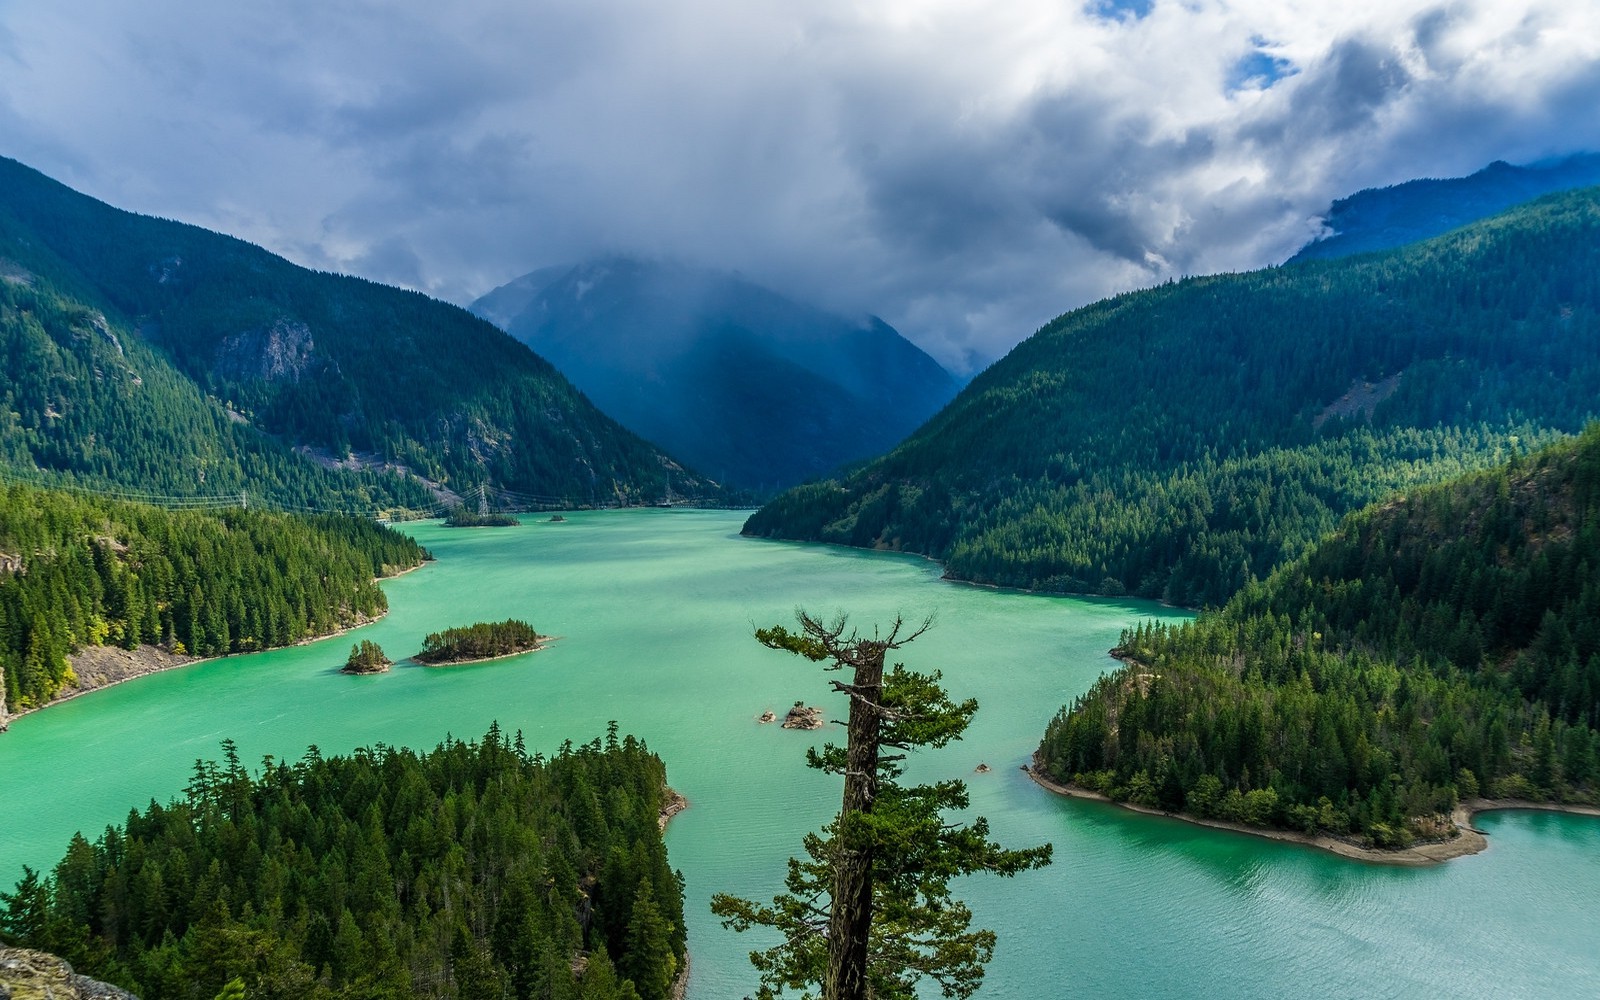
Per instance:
x=470, y=873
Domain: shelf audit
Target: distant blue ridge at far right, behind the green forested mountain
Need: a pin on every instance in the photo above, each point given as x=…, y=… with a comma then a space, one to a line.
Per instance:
x=1382, y=218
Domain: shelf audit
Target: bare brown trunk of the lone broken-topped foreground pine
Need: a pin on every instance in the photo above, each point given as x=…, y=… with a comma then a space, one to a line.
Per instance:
x=850, y=922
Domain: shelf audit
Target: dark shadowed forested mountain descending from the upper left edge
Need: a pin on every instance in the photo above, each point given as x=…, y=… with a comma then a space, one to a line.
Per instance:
x=334, y=364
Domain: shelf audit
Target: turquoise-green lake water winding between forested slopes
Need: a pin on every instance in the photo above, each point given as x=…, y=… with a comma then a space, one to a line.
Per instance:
x=655, y=612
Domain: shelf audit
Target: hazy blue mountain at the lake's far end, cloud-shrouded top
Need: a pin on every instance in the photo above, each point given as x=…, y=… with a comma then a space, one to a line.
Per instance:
x=740, y=382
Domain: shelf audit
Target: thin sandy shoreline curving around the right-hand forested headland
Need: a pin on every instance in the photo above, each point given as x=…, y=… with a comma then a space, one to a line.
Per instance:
x=1468, y=841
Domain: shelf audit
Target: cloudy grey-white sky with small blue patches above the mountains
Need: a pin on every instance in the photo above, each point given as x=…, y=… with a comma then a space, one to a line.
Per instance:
x=964, y=169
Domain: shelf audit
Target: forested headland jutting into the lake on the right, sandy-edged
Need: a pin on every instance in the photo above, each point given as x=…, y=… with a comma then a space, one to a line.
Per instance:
x=1441, y=646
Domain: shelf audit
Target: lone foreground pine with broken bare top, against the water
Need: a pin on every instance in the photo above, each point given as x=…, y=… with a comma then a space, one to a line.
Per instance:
x=870, y=911
